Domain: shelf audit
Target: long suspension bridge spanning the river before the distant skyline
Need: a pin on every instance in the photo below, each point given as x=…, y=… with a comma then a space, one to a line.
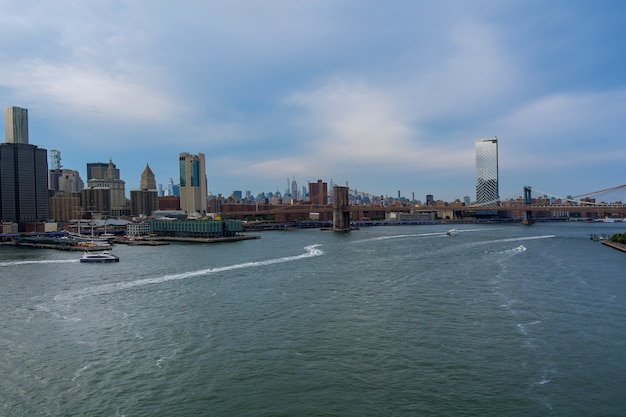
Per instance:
x=527, y=205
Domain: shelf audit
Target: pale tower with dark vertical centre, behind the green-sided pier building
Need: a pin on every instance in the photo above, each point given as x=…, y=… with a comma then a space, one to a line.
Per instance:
x=193, y=183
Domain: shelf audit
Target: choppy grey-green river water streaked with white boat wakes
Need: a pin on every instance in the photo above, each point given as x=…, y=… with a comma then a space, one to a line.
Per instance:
x=499, y=320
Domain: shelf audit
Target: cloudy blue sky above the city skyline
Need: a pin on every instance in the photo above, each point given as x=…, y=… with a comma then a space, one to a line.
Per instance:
x=383, y=96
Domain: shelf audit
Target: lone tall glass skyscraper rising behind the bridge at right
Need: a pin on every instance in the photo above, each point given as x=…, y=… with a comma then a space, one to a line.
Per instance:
x=487, y=170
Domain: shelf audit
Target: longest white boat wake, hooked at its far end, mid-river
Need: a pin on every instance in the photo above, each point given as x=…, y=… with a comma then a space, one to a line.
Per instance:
x=311, y=251
